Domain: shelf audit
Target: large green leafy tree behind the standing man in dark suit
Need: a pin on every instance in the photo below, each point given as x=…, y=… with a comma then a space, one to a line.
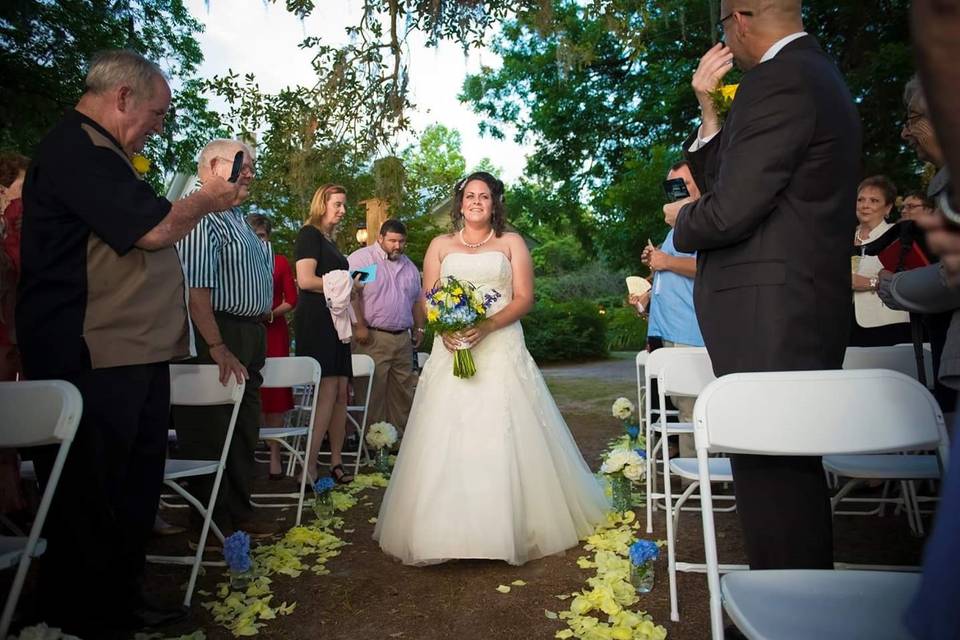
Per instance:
x=602, y=92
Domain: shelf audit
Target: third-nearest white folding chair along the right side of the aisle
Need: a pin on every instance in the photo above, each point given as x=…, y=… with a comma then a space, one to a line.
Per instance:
x=657, y=429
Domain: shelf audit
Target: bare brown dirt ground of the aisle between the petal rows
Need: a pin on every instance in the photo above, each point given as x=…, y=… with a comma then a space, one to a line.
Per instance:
x=368, y=595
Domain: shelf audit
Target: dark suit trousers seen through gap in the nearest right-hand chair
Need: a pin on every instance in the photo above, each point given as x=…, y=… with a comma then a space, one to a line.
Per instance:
x=784, y=508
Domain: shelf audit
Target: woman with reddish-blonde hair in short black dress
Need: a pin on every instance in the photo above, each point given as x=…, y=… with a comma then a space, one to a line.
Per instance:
x=316, y=336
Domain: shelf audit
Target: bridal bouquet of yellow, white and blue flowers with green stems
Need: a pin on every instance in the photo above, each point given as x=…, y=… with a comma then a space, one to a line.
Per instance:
x=455, y=305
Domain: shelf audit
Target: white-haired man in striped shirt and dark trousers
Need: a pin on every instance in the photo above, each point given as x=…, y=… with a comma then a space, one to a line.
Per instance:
x=230, y=274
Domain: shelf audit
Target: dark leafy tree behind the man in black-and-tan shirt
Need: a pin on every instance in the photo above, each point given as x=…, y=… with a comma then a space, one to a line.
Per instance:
x=44, y=46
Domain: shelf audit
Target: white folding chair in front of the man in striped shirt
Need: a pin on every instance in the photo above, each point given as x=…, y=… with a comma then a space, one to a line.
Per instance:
x=199, y=385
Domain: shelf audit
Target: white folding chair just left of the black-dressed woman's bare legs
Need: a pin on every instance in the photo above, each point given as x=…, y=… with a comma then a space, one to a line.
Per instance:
x=283, y=373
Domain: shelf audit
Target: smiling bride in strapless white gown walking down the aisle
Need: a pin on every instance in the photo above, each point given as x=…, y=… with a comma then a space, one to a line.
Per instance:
x=487, y=467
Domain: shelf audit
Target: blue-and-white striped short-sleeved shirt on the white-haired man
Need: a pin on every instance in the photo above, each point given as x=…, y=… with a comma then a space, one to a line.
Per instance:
x=223, y=254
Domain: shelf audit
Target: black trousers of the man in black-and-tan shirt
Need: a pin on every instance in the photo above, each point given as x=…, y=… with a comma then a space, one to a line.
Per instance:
x=103, y=510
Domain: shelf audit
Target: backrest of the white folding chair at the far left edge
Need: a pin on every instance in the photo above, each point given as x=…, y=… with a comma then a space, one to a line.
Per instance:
x=38, y=412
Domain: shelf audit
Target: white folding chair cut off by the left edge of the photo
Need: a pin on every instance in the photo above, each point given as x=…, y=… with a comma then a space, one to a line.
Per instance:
x=42, y=412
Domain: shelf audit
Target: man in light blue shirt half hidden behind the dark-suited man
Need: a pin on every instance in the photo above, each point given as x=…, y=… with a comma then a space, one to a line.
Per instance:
x=672, y=316
